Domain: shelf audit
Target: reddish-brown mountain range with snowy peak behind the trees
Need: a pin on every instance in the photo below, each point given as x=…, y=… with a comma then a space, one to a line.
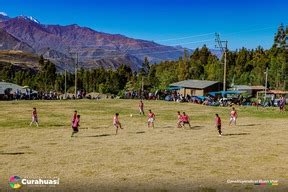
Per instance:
x=63, y=45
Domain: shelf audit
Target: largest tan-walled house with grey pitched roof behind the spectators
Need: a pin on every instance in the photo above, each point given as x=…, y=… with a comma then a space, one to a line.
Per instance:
x=196, y=87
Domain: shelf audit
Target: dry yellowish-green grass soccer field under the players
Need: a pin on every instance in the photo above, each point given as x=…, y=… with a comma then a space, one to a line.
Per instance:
x=162, y=159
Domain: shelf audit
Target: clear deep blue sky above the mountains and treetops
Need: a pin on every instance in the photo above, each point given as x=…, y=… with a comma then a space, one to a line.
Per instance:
x=244, y=23
